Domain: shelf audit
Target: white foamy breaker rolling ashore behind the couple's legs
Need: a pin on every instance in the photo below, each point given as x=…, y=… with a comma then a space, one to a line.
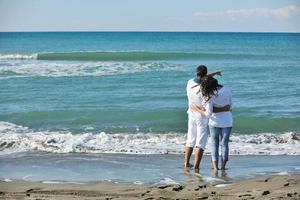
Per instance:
x=15, y=138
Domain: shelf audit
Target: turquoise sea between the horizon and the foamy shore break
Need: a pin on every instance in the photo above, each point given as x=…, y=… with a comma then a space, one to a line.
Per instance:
x=134, y=82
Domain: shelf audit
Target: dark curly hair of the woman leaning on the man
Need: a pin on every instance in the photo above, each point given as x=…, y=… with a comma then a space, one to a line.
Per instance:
x=209, y=87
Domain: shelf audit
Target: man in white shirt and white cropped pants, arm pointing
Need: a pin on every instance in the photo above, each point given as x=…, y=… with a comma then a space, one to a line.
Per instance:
x=197, y=130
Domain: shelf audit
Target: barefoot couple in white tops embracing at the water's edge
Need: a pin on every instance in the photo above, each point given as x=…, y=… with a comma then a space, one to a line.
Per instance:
x=210, y=107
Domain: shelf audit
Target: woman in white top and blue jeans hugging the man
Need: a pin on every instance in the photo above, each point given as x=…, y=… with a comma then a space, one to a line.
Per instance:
x=220, y=123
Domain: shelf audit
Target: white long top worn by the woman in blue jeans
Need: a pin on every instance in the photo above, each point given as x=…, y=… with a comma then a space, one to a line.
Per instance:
x=221, y=99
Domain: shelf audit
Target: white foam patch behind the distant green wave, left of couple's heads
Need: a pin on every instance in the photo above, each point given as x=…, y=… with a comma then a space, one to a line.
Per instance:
x=34, y=68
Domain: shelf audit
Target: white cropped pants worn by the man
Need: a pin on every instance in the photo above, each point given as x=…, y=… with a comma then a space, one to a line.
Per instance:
x=197, y=132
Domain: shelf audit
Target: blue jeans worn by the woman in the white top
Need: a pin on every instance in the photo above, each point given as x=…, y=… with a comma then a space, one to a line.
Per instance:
x=219, y=134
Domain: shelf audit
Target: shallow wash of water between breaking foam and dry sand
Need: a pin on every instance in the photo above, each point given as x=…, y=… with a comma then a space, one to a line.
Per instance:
x=138, y=169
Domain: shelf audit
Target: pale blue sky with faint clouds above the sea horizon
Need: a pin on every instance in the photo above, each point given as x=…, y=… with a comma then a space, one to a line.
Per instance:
x=150, y=15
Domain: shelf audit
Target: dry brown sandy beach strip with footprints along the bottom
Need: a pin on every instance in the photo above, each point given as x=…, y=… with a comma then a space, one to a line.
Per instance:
x=268, y=187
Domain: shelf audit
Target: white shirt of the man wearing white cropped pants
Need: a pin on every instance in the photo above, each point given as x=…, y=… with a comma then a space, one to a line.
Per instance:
x=195, y=96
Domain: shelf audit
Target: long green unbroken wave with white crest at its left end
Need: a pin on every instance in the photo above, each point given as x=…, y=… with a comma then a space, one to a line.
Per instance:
x=127, y=56
